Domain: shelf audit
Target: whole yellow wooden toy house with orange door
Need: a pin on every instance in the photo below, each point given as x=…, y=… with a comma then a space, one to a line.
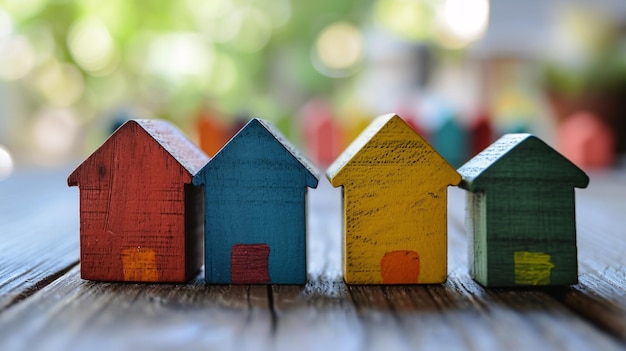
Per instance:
x=395, y=195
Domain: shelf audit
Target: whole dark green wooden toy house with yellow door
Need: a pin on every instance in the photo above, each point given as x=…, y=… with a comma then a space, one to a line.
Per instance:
x=521, y=216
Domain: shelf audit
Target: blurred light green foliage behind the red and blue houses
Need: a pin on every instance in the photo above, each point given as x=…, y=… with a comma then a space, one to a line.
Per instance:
x=256, y=64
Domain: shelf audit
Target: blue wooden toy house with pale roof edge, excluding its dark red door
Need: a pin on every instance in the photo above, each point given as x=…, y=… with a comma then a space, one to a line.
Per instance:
x=255, y=193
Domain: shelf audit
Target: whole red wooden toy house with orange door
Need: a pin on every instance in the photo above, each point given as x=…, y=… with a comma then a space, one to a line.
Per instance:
x=140, y=219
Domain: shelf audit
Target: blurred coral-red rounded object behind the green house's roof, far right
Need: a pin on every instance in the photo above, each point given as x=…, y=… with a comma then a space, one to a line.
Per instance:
x=586, y=140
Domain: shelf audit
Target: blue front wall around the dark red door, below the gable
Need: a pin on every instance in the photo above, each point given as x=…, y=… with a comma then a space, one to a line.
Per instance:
x=258, y=211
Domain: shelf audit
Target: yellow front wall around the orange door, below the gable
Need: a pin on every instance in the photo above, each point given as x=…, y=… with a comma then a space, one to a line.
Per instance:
x=410, y=217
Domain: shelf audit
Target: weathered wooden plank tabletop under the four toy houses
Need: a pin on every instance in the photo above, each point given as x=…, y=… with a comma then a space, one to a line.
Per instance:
x=44, y=305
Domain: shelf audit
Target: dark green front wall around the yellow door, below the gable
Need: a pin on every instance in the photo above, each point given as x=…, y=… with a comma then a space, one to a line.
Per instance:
x=531, y=219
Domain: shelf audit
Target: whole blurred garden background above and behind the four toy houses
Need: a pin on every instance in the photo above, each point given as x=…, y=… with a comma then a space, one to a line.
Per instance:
x=70, y=71
